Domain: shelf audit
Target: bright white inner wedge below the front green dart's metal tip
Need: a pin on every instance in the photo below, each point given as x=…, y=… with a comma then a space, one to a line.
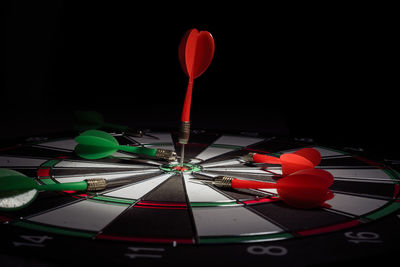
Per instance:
x=139, y=189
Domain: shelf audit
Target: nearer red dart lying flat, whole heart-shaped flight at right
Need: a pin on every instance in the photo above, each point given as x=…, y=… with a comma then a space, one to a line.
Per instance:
x=308, y=188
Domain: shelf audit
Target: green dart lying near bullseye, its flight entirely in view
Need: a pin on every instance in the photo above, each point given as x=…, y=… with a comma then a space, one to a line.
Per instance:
x=96, y=144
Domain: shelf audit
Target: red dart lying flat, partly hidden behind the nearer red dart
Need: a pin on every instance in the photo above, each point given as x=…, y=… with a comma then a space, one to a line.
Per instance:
x=304, y=158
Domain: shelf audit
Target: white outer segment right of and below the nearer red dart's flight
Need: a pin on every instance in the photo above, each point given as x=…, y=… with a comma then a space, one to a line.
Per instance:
x=354, y=204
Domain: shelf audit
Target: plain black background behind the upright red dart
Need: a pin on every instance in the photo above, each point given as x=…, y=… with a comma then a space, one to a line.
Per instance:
x=324, y=72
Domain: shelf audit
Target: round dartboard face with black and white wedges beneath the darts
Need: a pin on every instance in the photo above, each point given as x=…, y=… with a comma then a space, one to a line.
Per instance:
x=162, y=214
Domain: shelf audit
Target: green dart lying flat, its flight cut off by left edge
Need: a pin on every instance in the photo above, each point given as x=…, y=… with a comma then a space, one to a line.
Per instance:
x=18, y=191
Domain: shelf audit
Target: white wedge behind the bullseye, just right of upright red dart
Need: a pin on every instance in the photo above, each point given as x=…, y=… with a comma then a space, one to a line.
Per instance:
x=227, y=140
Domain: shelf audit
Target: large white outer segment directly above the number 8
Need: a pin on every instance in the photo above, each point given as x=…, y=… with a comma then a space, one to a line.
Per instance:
x=230, y=221
